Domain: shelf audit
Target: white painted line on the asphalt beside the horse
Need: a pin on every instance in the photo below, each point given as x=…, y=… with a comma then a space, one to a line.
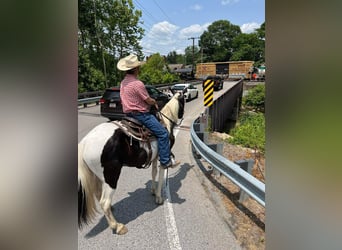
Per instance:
x=172, y=232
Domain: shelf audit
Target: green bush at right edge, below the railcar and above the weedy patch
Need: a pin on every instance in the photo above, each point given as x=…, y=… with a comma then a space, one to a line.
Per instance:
x=255, y=98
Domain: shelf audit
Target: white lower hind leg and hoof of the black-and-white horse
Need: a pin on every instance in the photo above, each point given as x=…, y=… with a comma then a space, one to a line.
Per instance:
x=106, y=202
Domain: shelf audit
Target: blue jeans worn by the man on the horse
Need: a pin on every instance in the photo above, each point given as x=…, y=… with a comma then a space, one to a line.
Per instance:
x=151, y=122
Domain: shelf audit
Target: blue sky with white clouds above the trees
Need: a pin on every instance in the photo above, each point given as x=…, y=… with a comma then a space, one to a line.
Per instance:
x=170, y=24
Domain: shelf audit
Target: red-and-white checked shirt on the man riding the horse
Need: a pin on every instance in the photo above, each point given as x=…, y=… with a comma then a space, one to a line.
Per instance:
x=133, y=95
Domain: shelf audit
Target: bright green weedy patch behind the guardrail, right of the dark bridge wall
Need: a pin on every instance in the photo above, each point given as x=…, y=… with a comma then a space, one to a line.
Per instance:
x=250, y=132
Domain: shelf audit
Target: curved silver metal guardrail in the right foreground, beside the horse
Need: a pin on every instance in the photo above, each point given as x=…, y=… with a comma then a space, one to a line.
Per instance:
x=248, y=183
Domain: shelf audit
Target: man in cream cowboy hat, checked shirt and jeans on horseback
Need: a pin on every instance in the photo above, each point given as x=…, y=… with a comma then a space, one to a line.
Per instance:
x=136, y=103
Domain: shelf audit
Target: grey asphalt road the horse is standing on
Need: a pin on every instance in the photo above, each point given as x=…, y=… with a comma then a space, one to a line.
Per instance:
x=188, y=219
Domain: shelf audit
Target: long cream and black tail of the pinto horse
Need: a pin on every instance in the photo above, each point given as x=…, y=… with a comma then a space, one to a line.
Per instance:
x=88, y=183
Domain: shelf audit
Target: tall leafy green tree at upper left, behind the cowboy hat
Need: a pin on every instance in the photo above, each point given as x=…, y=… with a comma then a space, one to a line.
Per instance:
x=107, y=30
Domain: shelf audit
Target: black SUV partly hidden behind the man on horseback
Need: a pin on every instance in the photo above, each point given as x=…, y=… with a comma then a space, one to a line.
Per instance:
x=111, y=107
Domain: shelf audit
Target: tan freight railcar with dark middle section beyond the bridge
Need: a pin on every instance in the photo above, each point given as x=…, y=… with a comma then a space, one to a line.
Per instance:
x=230, y=69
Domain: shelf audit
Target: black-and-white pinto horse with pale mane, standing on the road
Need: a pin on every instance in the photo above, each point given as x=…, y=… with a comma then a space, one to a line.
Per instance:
x=105, y=150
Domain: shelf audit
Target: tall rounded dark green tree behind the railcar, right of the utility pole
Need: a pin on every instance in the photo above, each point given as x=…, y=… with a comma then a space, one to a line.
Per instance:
x=217, y=41
